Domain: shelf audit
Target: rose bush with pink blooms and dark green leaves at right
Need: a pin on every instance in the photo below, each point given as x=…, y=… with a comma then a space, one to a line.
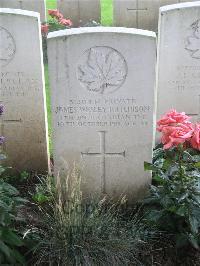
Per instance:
x=173, y=204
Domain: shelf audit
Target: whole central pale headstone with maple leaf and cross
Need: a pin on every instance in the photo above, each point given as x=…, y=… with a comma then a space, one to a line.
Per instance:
x=102, y=83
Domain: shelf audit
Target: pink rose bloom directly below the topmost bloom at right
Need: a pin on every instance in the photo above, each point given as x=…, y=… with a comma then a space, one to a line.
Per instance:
x=175, y=135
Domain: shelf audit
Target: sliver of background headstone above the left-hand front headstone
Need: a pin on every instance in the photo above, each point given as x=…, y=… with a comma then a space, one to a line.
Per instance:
x=32, y=5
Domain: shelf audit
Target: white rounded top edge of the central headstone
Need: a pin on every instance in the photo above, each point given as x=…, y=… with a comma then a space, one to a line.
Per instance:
x=88, y=30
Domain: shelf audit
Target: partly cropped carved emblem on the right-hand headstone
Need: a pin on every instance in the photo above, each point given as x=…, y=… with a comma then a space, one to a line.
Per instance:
x=192, y=43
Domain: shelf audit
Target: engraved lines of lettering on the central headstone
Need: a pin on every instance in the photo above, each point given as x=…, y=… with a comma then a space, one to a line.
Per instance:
x=98, y=112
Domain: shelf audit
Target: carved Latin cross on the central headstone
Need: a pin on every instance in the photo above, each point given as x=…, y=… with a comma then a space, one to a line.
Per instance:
x=103, y=155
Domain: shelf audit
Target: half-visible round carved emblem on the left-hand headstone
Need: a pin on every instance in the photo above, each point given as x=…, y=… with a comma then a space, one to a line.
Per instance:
x=7, y=47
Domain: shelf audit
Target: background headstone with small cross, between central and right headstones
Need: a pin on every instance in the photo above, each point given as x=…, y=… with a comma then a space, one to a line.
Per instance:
x=142, y=14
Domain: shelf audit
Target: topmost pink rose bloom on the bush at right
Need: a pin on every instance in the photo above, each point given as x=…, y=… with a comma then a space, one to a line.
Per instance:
x=172, y=118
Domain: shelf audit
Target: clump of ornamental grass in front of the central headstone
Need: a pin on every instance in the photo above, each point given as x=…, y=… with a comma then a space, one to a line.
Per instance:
x=73, y=231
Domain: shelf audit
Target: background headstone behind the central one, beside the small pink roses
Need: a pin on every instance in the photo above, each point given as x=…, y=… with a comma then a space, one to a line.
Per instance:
x=80, y=11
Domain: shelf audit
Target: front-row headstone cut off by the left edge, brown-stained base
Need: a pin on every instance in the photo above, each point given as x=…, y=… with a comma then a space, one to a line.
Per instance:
x=22, y=91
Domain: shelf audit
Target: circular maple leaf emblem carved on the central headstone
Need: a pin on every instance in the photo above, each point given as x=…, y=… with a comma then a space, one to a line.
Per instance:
x=102, y=70
